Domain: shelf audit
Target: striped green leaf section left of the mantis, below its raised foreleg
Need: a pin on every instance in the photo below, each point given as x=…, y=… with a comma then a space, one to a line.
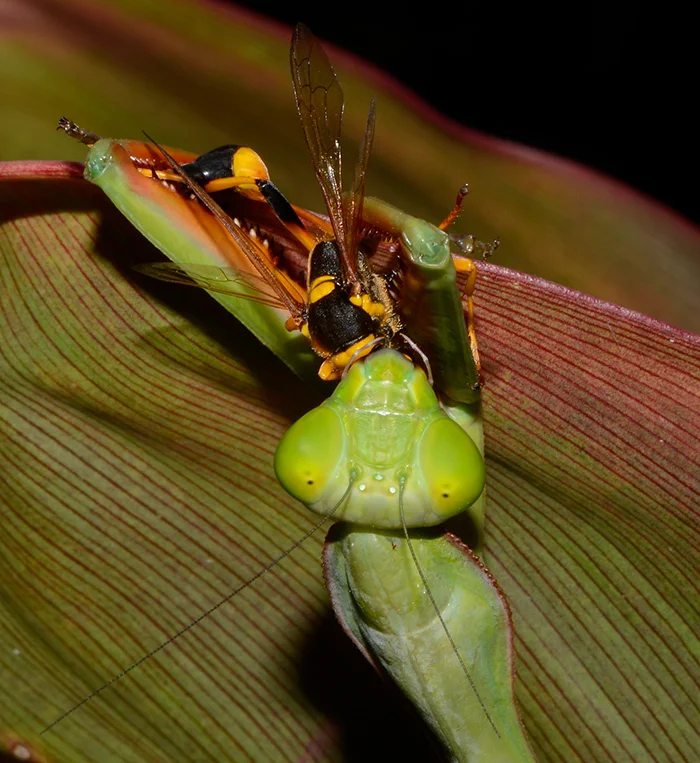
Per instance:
x=138, y=489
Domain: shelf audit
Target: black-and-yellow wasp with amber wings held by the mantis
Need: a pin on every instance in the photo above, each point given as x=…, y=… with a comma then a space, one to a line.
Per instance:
x=344, y=308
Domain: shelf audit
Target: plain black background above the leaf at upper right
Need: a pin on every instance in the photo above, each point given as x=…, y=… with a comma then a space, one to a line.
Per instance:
x=607, y=87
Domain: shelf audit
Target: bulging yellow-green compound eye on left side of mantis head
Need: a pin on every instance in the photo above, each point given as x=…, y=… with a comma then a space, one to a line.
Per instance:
x=307, y=458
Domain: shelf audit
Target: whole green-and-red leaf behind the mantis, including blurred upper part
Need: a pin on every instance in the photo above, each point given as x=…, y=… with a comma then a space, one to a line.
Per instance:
x=139, y=422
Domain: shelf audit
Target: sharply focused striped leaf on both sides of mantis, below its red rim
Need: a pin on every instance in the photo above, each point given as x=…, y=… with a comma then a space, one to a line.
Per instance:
x=139, y=424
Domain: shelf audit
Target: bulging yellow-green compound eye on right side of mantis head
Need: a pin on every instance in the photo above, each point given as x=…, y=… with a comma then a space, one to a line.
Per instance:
x=452, y=467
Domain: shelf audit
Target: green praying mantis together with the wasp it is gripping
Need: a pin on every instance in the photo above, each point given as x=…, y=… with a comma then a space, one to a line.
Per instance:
x=397, y=448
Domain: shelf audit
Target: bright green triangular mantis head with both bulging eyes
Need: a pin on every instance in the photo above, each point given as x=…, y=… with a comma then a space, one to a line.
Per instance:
x=381, y=443
